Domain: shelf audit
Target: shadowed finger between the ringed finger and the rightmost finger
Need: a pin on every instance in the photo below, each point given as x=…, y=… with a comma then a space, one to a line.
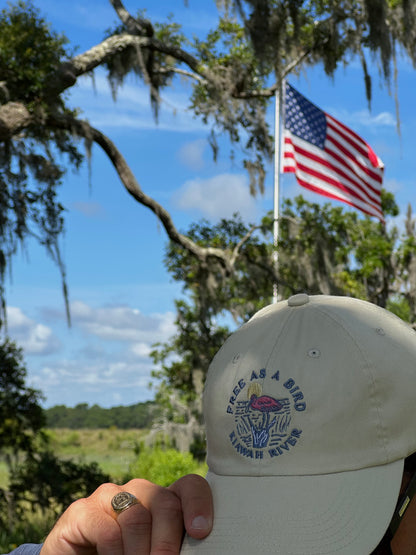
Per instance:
x=166, y=516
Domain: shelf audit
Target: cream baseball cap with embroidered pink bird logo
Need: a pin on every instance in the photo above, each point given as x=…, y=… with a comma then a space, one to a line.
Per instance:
x=309, y=410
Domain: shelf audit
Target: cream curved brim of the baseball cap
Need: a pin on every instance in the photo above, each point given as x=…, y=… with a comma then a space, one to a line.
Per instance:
x=346, y=513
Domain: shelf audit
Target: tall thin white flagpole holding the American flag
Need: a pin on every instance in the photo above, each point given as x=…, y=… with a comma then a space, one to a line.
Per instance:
x=276, y=201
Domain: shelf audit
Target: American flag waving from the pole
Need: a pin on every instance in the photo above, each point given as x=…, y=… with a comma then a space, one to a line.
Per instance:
x=328, y=158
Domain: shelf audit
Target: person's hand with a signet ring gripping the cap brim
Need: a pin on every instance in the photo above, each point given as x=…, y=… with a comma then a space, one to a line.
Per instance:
x=155, y=525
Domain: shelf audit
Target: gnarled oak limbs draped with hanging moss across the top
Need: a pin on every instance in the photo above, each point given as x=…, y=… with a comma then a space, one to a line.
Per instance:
x=233, y=73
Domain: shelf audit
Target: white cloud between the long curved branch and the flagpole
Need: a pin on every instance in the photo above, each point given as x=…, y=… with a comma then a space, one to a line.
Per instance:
x=217, y=197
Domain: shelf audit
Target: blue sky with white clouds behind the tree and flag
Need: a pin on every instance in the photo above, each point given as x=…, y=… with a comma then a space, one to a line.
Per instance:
x=121, y=296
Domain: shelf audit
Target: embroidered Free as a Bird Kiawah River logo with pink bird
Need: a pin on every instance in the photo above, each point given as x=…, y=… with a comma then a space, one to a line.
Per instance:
x=263, y=422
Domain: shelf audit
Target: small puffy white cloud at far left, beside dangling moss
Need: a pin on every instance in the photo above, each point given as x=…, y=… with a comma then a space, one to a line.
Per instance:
x=34, y=338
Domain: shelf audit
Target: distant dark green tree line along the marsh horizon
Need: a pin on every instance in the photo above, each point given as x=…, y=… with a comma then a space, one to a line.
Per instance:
x=140, y=415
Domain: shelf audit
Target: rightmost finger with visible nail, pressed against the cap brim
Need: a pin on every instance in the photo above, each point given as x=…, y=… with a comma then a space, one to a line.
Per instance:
x=197, y=506
